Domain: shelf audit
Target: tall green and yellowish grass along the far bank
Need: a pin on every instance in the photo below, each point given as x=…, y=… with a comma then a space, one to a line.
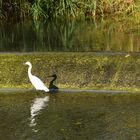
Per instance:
x=48, y=9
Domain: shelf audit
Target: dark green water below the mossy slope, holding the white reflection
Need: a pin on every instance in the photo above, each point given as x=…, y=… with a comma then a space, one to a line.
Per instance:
x=69, y=116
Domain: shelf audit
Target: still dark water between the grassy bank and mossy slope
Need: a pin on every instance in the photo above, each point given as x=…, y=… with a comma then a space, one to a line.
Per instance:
x=69, y=36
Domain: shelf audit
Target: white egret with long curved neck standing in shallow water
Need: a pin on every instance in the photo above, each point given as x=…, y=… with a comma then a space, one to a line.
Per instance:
x=36, y=82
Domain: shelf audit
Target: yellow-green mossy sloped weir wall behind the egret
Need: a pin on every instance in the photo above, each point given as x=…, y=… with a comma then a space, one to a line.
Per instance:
x=74, y=70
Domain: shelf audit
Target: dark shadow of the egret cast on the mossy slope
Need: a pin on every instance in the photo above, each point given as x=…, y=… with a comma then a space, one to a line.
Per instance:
x=53, y=88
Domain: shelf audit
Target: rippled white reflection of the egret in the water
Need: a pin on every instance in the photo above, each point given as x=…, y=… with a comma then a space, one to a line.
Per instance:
x=38, y=104
